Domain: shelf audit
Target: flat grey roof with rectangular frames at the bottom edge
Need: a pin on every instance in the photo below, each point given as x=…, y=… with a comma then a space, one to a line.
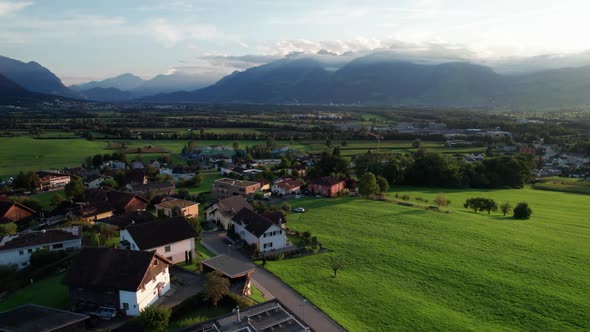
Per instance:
x=269, y=316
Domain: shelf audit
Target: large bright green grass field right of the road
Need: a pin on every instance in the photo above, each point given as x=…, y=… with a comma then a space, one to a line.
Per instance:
x=411, y=269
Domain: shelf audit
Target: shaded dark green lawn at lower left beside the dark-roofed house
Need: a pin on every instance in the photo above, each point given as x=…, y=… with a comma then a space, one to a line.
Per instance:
x=48, y=292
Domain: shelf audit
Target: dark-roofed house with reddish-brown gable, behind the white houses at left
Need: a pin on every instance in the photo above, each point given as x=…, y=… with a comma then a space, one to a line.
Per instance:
x=121, y=202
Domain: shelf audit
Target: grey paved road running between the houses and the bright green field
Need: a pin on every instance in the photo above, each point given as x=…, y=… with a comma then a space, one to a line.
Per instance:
x=312, y=316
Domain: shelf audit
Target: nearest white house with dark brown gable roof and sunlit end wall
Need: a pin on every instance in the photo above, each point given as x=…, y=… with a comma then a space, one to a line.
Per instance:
x=128, y=280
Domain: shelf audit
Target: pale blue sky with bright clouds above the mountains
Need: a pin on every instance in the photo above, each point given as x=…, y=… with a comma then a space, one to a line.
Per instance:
x=83, y=40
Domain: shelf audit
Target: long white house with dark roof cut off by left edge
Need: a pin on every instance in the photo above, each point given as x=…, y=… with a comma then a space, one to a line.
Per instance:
x=16, y=250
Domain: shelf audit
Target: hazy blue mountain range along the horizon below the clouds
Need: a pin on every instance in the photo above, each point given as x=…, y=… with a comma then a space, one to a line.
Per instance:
x=373, y=79
